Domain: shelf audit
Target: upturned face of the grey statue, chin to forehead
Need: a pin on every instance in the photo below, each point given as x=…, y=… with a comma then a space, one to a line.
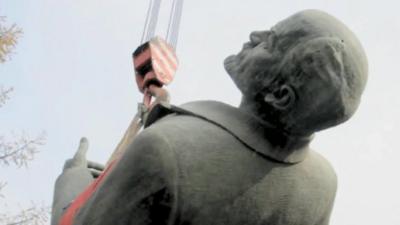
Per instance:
x=262, y=58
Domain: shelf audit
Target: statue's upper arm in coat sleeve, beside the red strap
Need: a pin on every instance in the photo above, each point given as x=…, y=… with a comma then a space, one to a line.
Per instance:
x=141, y=189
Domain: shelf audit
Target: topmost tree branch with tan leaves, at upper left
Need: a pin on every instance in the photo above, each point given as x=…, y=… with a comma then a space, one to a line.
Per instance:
x=8, y=39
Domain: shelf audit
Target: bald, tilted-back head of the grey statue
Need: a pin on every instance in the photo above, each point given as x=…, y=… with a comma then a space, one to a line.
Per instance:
x=305, y=74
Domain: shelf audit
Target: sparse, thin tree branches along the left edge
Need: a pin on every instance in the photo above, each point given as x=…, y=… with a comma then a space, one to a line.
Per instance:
x=22, y=149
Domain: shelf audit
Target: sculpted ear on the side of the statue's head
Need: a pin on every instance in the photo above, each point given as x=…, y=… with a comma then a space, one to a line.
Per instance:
x=282, y=98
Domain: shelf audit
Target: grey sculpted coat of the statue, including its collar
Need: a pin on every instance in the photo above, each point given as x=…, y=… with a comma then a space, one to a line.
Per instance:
x=213, y=167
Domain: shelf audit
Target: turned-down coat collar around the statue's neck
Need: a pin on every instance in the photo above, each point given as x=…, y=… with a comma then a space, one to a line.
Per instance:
x=257, y=136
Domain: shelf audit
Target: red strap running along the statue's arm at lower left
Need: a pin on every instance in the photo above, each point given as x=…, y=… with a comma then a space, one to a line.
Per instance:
x=69, y=215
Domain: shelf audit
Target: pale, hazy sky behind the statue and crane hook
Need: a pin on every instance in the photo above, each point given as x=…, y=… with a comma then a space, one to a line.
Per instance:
x=73, y=76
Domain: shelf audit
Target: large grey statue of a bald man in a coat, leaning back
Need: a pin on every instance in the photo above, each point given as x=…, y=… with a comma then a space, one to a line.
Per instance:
x=209, y=163
